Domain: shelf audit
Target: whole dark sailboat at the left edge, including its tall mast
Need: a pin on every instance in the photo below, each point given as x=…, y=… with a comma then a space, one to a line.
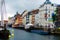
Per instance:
x=4, y=33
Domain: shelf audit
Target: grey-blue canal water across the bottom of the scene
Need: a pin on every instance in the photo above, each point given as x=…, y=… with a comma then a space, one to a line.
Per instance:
x=17, y=34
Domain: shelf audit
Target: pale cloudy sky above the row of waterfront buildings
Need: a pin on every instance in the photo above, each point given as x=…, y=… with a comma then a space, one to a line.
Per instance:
x=12, y=6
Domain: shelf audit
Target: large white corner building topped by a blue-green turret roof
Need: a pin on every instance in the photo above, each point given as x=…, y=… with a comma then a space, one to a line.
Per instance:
x=44, y=17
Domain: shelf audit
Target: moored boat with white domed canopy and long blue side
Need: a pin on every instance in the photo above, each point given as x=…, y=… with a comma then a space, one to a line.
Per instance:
x=31, y=28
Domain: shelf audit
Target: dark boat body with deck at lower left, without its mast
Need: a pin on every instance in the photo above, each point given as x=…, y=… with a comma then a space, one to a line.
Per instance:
x=4, y=33
